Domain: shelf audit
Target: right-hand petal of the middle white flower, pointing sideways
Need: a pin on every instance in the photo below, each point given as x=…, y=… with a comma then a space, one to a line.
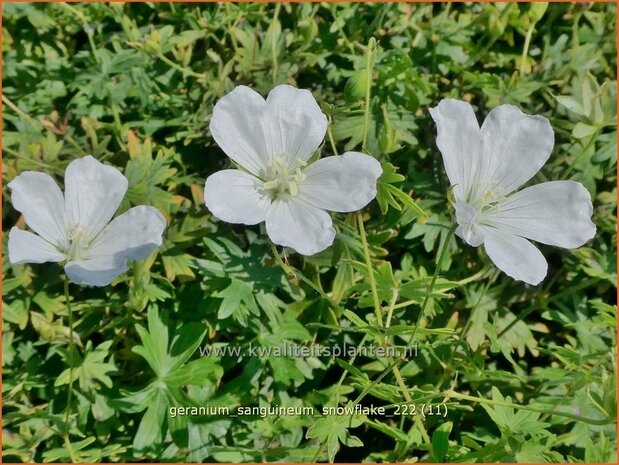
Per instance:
x=342, y=183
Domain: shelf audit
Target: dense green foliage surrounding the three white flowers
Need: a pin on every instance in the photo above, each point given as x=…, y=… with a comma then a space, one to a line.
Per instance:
x=522, y=373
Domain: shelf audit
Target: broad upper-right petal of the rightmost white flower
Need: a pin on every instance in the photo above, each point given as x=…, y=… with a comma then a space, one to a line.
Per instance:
x=515, y=147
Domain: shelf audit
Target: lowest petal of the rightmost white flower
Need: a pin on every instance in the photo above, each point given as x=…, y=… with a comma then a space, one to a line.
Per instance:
x=515, y=256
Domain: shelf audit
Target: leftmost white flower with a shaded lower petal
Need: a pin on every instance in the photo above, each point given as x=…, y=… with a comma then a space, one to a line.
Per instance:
x=76, y=228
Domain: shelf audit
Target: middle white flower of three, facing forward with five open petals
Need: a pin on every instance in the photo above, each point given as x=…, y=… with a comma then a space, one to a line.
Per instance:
x=272, y=141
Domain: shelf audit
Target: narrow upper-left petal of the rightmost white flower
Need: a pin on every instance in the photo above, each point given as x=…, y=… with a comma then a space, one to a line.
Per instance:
x=459, y=140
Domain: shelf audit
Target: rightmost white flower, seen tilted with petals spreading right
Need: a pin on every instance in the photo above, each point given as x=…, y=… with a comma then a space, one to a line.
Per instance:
x=486, y=165
